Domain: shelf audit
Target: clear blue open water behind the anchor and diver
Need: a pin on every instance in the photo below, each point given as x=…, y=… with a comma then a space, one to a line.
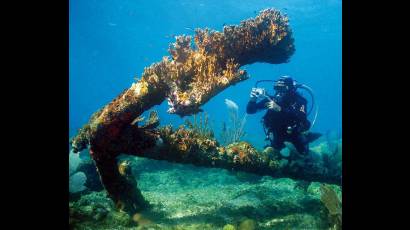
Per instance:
x=112, y=41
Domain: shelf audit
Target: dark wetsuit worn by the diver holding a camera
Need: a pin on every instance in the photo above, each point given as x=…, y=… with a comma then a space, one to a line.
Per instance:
x=293, y=114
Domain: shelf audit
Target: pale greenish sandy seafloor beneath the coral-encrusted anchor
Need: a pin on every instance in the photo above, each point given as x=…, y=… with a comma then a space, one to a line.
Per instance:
x=190, y=197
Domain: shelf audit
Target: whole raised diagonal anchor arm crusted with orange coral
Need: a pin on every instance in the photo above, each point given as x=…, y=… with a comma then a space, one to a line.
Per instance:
x=194, y=74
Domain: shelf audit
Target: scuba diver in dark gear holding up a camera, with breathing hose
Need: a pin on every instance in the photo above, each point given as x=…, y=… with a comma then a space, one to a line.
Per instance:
x=286, y=118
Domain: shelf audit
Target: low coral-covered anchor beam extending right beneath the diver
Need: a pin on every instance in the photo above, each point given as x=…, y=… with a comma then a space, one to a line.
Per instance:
x=188, y=145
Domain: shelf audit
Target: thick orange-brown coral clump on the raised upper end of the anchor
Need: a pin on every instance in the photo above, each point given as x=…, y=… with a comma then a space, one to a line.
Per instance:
x=201, y=73
